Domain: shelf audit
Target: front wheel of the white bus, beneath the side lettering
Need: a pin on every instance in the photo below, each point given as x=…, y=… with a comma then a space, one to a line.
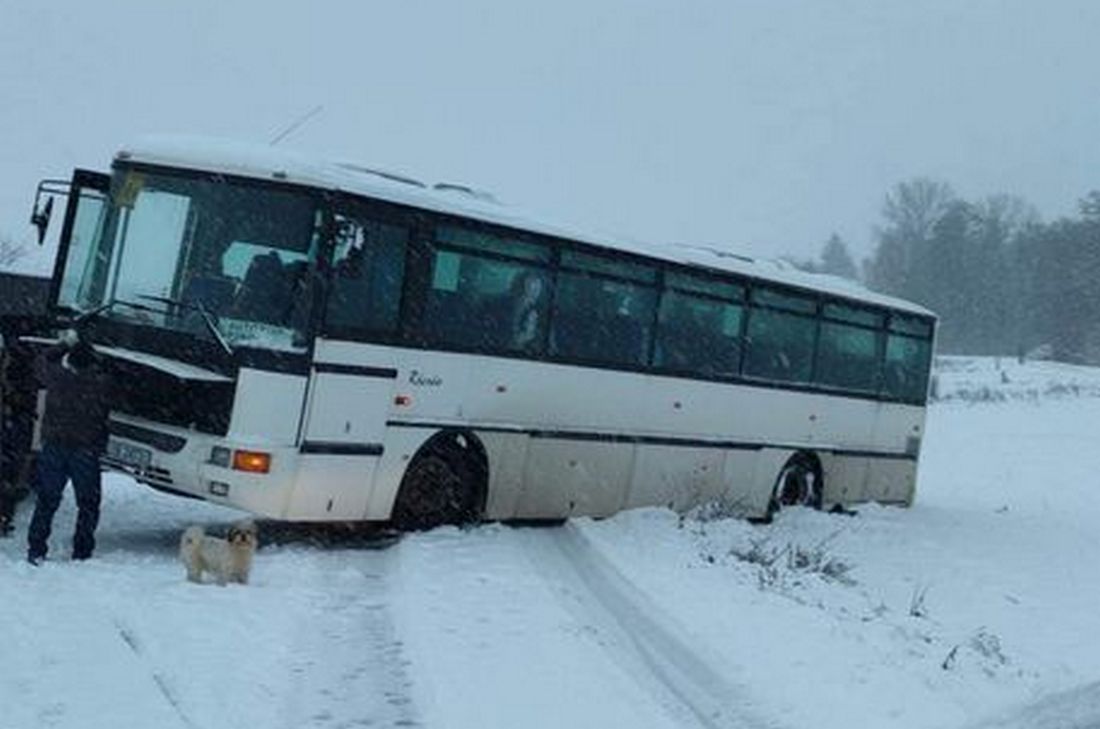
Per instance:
x=444, y=485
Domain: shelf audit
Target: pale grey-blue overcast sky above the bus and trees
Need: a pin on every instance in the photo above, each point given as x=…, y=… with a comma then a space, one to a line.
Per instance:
x=758, y=127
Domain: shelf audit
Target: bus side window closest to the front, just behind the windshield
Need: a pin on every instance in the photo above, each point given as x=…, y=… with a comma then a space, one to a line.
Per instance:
x=368, y=271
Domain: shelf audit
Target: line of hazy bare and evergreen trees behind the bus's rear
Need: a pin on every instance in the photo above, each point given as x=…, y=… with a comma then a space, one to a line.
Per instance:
x=1003, y=282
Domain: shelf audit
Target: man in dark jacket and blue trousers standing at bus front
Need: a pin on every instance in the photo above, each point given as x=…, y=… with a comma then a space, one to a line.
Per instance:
x=74, y=435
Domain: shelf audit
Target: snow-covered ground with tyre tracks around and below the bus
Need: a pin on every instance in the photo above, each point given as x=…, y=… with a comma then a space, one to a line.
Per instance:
x=978, y=607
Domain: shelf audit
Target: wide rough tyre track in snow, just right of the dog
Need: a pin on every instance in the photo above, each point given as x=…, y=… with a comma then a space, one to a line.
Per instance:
x=349, y=668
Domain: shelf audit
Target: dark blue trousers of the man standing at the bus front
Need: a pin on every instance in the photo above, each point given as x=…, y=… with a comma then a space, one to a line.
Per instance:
x=57, y=467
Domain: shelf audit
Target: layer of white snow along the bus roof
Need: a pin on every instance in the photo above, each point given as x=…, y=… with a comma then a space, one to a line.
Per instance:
x=266, y=162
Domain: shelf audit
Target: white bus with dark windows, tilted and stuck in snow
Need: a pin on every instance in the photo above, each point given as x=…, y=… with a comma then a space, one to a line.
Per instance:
x=316, y=341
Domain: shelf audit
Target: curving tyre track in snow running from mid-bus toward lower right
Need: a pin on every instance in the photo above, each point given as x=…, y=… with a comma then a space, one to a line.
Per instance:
x=651, y=646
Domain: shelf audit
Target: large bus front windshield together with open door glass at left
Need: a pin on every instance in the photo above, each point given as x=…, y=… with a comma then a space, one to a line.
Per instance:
x=184, y=252
